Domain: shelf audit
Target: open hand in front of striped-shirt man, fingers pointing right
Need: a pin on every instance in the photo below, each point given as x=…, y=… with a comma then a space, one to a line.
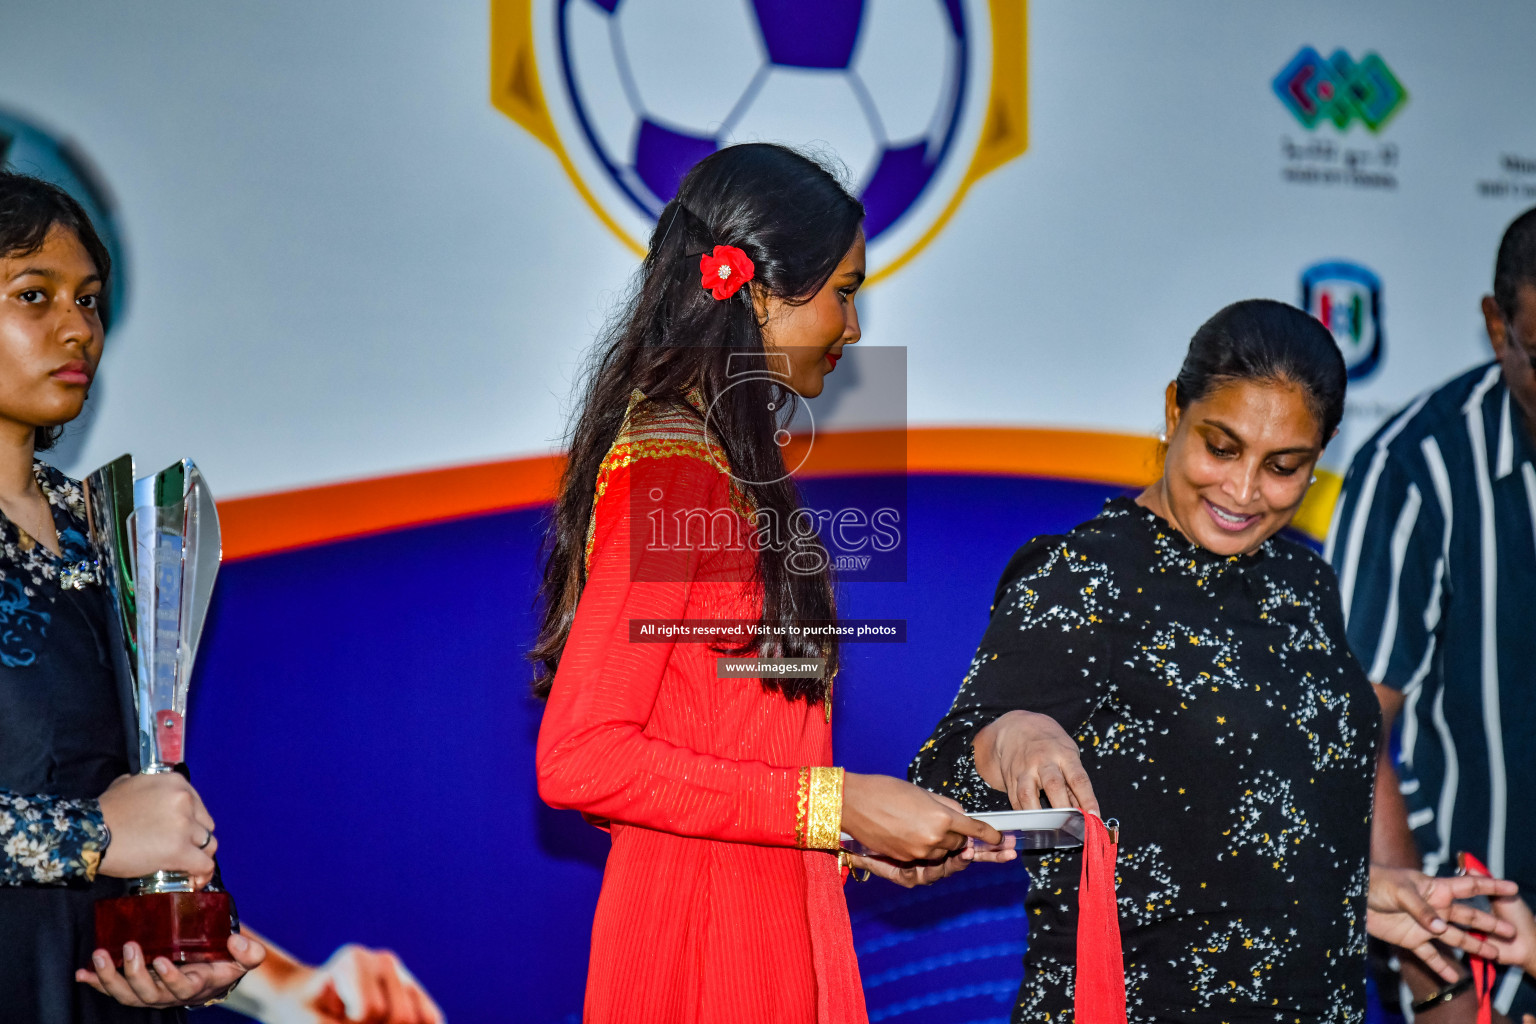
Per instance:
x=1411, y=910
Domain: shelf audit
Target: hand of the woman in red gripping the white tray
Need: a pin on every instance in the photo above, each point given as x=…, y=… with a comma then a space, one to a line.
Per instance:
x=898, y=821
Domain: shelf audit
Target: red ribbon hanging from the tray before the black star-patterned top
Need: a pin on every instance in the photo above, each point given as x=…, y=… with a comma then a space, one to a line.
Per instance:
x=1101, y=994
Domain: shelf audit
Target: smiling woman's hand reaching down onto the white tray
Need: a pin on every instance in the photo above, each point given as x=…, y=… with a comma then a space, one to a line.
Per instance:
x=1024, y=753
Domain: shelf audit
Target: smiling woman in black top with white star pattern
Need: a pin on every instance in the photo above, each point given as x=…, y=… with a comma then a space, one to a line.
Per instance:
x=1200, y=664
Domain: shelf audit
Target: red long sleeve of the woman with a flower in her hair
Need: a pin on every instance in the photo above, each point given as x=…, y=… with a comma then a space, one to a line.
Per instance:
x=595, y=755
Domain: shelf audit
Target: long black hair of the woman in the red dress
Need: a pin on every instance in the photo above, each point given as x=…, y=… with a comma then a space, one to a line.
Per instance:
x=795, y=222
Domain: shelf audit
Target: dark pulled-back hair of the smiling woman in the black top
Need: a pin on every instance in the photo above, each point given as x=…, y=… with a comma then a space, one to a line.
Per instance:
x=1263, y=340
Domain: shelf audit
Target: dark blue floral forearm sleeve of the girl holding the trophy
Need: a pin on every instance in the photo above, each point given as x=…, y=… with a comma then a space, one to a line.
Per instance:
x=50, y=841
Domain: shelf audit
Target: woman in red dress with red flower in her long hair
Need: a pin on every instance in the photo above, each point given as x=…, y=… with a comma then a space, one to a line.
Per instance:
x=723, y=896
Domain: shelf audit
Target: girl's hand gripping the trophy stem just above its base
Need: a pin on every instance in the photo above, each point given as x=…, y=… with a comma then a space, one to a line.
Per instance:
x=157, y=824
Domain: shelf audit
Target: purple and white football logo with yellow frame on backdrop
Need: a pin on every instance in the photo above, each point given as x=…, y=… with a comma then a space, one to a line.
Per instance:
x=916, y=99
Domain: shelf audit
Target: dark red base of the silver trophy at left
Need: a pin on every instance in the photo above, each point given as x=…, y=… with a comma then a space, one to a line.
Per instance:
x=185, y=928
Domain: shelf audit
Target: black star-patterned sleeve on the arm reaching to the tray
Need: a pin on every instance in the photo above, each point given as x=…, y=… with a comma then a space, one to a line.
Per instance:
x=1047, y=627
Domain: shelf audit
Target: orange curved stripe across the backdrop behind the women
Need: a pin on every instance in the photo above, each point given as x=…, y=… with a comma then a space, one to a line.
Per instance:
x=266, y=524
